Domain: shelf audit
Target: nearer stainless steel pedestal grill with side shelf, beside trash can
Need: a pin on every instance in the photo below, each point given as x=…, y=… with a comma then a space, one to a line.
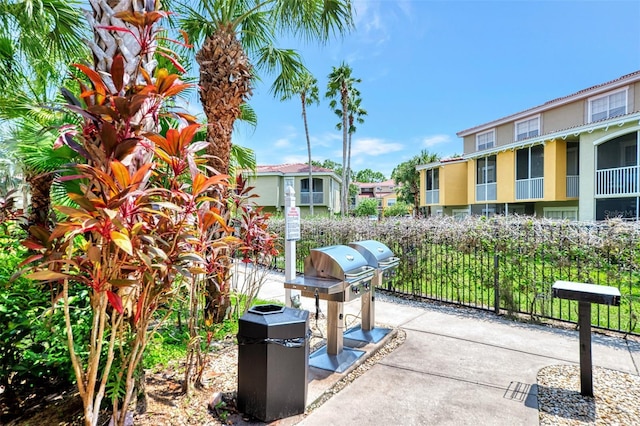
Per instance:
x=336, y=274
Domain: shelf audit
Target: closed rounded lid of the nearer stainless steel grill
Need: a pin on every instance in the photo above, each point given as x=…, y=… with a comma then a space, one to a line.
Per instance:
x=337, y=262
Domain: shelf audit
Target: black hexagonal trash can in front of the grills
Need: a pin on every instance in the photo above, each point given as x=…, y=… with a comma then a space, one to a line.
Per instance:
x=273, y=362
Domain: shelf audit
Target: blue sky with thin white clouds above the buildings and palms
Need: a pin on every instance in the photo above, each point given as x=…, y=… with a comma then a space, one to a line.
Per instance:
x=430, y=69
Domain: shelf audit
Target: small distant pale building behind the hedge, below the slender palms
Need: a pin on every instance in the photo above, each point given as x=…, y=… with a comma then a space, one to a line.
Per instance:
x=270, y=183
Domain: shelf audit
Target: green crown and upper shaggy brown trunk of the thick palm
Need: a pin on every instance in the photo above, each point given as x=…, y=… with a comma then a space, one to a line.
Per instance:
x=237, y=40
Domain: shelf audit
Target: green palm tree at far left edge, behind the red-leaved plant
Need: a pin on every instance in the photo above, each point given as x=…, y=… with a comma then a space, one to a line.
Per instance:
x=30, y=81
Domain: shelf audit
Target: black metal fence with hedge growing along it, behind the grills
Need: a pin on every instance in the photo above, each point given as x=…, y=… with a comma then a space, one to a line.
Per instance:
x=502, y=264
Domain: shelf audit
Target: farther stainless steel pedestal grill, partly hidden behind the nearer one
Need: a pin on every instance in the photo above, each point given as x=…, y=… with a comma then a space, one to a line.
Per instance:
x=380, y=257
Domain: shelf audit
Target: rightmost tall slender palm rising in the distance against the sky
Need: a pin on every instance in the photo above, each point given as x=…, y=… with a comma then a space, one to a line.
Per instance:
x=339, y=87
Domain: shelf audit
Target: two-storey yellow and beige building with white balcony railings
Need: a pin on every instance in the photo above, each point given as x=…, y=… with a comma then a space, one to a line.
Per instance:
x=575, y=157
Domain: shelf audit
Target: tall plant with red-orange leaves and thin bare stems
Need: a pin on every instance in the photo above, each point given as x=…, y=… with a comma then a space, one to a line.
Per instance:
x=135, y=227
